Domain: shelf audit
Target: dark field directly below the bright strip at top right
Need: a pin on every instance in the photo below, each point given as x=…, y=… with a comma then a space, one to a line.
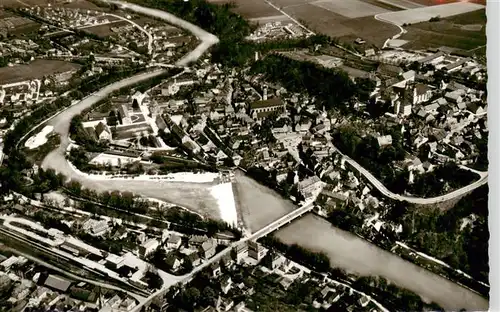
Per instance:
x=449, y=32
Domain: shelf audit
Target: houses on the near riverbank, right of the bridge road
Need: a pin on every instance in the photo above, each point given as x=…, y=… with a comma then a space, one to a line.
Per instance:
x=263, y=263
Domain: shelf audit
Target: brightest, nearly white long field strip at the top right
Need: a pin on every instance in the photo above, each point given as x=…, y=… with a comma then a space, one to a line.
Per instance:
x=424, y=14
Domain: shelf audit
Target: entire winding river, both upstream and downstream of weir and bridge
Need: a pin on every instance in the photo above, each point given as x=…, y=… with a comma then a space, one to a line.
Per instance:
x=261, y=206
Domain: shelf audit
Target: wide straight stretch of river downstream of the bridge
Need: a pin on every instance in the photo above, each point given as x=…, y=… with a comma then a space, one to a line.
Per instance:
x=356, y=255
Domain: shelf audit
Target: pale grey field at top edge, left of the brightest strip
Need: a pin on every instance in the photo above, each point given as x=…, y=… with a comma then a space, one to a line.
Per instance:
x=351, y=8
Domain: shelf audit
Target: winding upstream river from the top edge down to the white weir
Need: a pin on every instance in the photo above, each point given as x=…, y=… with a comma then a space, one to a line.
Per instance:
x=194, y=196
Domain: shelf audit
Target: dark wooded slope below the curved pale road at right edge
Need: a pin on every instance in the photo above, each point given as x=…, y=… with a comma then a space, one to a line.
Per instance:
x=441, y=235
